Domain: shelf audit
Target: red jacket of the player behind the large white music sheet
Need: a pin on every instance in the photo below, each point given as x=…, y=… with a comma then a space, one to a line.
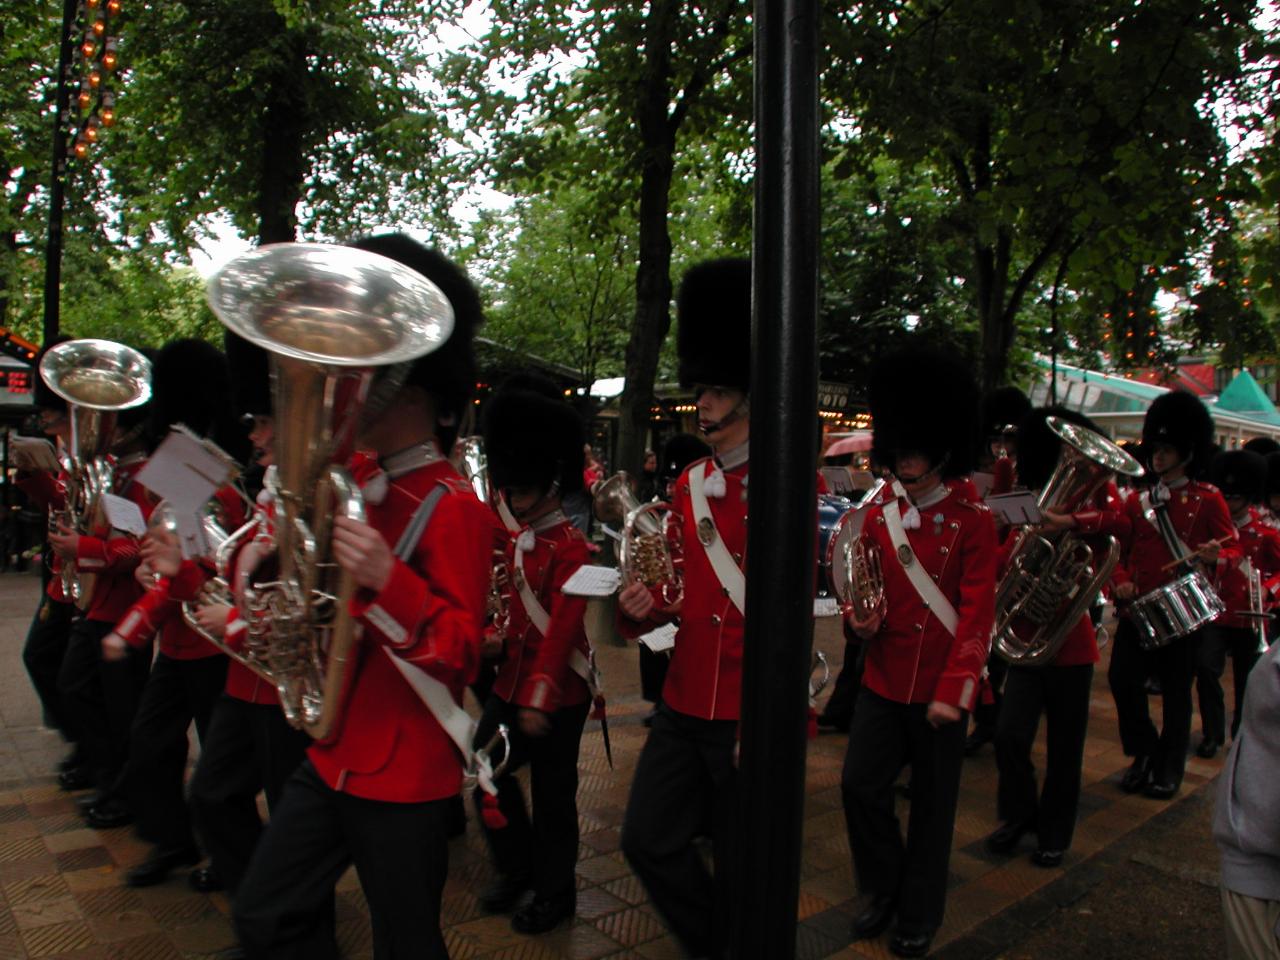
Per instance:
x=161, y=607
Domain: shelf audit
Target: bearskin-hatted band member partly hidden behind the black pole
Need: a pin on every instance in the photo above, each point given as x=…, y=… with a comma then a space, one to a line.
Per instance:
x=688, y=764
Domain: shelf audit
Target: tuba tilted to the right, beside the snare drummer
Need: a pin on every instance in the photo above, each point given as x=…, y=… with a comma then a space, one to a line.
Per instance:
x=1050, y=583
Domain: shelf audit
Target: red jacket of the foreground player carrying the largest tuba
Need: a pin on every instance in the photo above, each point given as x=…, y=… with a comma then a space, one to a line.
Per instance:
x=387, y=746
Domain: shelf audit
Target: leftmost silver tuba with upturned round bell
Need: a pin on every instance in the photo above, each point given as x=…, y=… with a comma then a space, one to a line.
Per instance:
x=98, y=380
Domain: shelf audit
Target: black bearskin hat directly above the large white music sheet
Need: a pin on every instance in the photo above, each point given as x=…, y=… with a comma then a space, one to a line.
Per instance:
x=191, y=386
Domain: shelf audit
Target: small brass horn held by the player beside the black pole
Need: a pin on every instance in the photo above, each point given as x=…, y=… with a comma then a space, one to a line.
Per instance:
x=644, y=556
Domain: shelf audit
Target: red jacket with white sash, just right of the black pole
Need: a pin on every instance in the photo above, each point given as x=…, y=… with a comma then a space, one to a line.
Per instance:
x=913, y=659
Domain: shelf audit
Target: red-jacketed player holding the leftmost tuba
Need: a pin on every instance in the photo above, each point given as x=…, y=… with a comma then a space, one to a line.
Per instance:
x=103, y=694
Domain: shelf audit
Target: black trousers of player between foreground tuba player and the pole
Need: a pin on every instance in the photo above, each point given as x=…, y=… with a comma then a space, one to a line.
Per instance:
x=546, y=848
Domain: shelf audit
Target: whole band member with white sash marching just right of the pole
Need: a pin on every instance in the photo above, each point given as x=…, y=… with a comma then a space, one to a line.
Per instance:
x=926, y=651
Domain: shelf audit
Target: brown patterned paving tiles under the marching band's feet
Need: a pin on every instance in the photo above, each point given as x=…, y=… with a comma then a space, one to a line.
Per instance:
x=63, y=895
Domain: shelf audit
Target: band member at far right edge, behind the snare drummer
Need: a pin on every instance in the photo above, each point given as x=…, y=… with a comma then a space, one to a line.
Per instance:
x=1241, y=477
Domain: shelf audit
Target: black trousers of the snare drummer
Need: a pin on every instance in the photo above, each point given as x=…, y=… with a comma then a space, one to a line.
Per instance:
x=1174, y=665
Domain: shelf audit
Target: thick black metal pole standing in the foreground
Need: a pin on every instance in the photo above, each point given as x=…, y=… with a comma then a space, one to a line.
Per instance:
x=781, y=527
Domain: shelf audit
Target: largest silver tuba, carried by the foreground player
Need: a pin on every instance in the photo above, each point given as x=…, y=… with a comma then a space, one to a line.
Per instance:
x=341, y=326
